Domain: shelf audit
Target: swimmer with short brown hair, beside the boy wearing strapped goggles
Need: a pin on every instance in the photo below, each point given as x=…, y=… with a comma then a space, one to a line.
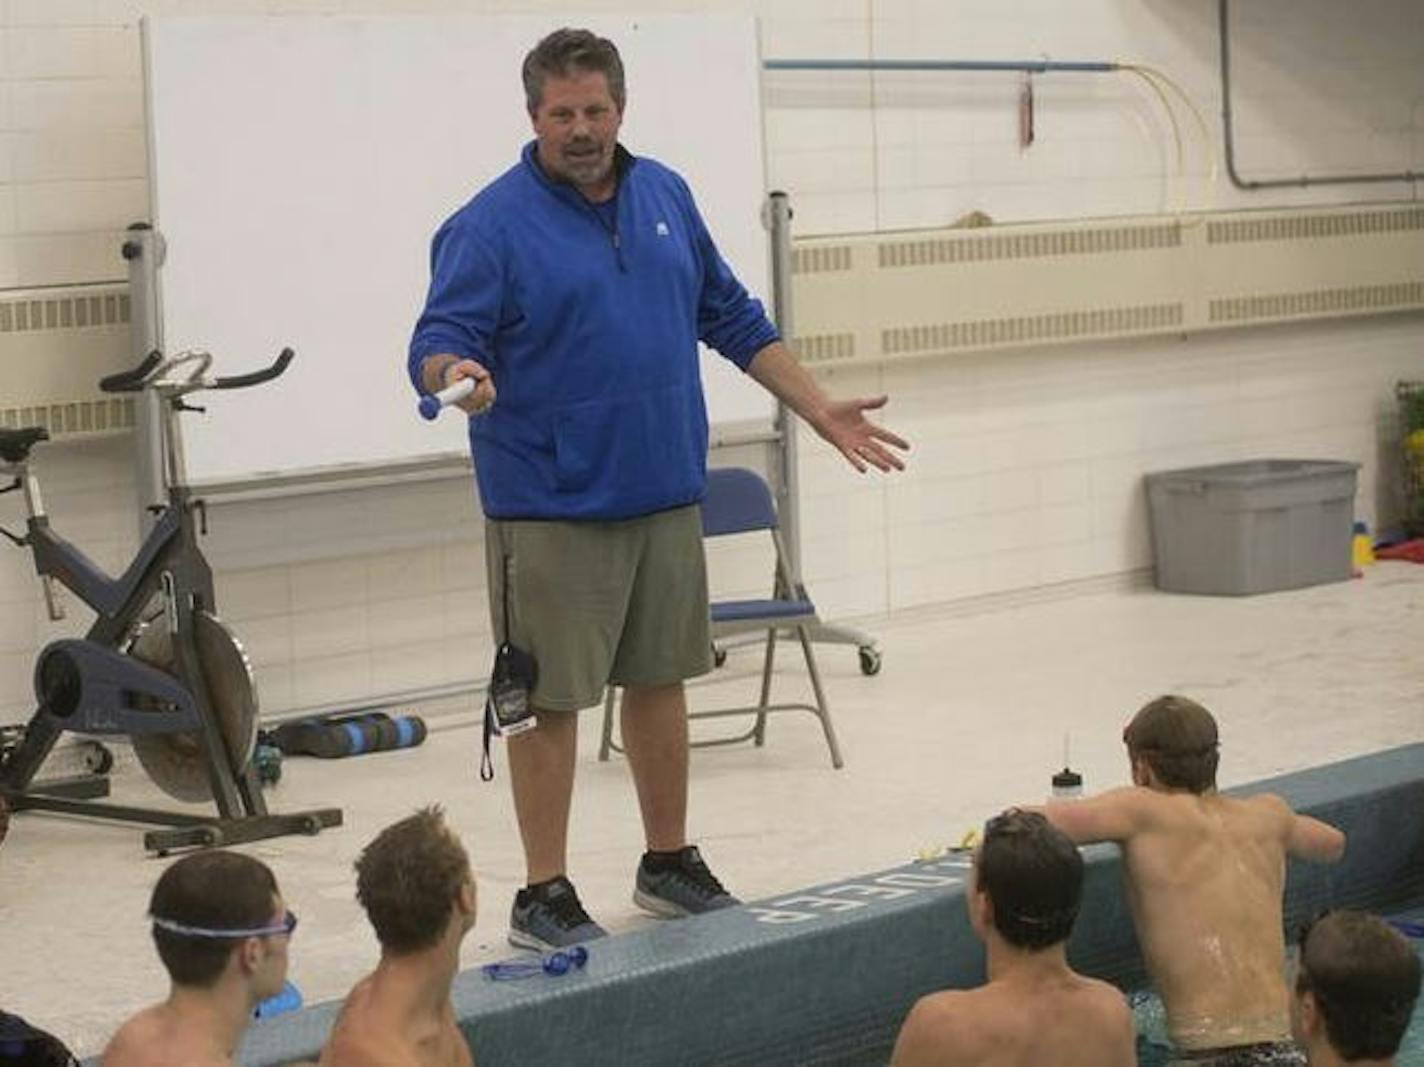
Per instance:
x=418, y=890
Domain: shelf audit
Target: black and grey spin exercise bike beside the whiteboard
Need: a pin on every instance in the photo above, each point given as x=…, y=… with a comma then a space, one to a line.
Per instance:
x=157, y=666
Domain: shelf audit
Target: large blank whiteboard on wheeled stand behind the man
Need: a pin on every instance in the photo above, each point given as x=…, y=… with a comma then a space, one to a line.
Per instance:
x=300, y=167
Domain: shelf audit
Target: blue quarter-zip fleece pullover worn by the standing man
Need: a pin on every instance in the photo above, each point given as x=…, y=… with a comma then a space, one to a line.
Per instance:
x=590, y=330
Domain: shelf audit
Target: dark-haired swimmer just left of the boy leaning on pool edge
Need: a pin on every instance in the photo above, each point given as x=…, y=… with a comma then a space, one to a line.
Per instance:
x=1036, y=1009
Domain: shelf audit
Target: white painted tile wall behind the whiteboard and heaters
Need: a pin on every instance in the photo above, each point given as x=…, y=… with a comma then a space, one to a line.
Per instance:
x=1026, y=468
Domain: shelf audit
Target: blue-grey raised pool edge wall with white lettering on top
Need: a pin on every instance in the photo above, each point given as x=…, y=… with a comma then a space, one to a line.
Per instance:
x=827, y=975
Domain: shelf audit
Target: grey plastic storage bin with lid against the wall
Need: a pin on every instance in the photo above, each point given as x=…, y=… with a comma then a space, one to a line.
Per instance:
x=1252, y=528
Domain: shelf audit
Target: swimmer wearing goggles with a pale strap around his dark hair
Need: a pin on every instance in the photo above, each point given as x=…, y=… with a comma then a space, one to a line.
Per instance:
x=221, y=931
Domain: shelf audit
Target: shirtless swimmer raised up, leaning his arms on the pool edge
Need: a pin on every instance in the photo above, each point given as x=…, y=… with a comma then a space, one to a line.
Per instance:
x=1205, y=880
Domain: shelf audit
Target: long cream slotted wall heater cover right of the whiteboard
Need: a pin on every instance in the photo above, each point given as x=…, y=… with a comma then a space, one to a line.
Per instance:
x=922, y=294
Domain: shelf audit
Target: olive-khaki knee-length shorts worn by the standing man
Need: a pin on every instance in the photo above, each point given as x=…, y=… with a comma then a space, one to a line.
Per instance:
x=599, y=603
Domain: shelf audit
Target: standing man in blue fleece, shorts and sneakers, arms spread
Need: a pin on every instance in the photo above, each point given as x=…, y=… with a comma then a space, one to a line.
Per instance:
x=576, y=288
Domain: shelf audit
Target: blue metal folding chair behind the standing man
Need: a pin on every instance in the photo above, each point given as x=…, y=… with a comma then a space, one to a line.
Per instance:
x=740, y=502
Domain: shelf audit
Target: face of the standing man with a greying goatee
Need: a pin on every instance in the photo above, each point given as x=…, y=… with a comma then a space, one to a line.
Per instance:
x=577, y=129
